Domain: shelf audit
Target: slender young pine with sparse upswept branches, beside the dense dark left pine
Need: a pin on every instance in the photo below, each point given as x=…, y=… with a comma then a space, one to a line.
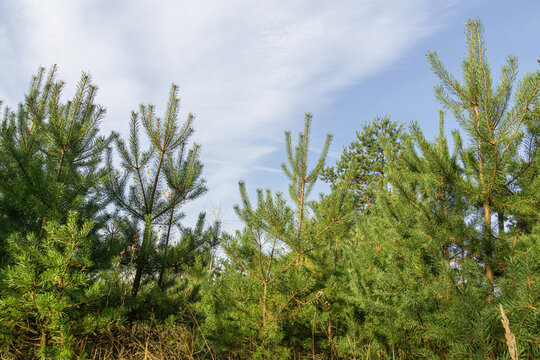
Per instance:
x=155, y=183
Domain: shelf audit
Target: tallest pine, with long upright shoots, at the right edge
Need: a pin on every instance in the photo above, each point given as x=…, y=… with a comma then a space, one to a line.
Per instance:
x=494, y=121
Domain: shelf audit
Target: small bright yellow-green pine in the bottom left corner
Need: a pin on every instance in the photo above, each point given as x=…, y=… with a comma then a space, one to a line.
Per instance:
x=47, y=290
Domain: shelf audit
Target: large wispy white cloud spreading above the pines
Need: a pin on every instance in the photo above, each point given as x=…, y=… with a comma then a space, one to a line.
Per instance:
x=243, y=66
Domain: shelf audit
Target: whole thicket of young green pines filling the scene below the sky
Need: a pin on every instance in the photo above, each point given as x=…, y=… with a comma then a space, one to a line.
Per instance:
x=420, y=249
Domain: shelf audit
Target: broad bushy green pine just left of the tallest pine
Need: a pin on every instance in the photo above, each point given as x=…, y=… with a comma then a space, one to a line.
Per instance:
x=402, y=277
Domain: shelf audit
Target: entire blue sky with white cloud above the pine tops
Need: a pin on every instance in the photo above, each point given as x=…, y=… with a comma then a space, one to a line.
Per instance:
x=250, y=69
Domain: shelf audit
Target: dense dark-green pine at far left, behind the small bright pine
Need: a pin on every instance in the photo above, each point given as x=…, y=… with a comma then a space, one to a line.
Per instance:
x=50, y=158
